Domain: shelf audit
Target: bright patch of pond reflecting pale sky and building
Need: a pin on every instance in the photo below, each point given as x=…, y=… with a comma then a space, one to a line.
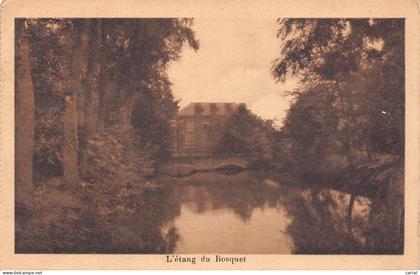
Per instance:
x=206, y=224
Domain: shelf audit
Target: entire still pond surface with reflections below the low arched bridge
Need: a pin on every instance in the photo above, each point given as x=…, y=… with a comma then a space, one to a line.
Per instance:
x=250, y=213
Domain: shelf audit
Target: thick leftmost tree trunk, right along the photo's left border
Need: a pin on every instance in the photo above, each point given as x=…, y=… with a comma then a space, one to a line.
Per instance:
x=25, y=117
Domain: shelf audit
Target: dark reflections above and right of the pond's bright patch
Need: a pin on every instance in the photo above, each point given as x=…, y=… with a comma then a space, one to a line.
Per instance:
x=319, y=217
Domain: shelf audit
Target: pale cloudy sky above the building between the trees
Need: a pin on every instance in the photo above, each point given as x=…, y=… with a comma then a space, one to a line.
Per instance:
x=233, y=64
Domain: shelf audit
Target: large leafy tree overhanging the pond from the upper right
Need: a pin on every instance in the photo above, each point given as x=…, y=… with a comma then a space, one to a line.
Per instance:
x=362, y=63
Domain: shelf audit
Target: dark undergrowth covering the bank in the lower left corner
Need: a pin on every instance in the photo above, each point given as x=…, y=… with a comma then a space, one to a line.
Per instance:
x=96, y=218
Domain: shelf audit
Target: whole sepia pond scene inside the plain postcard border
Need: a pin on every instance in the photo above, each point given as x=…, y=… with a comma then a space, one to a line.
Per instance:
x=209, y=135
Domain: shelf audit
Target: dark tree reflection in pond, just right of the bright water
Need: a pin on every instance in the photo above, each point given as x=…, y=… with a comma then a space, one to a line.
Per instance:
x=318, y=226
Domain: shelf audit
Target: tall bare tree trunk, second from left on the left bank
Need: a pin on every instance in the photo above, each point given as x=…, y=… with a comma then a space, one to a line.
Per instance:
x=70, y=121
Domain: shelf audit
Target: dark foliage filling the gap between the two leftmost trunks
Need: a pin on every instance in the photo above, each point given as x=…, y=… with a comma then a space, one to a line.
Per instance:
x=50, y=42
